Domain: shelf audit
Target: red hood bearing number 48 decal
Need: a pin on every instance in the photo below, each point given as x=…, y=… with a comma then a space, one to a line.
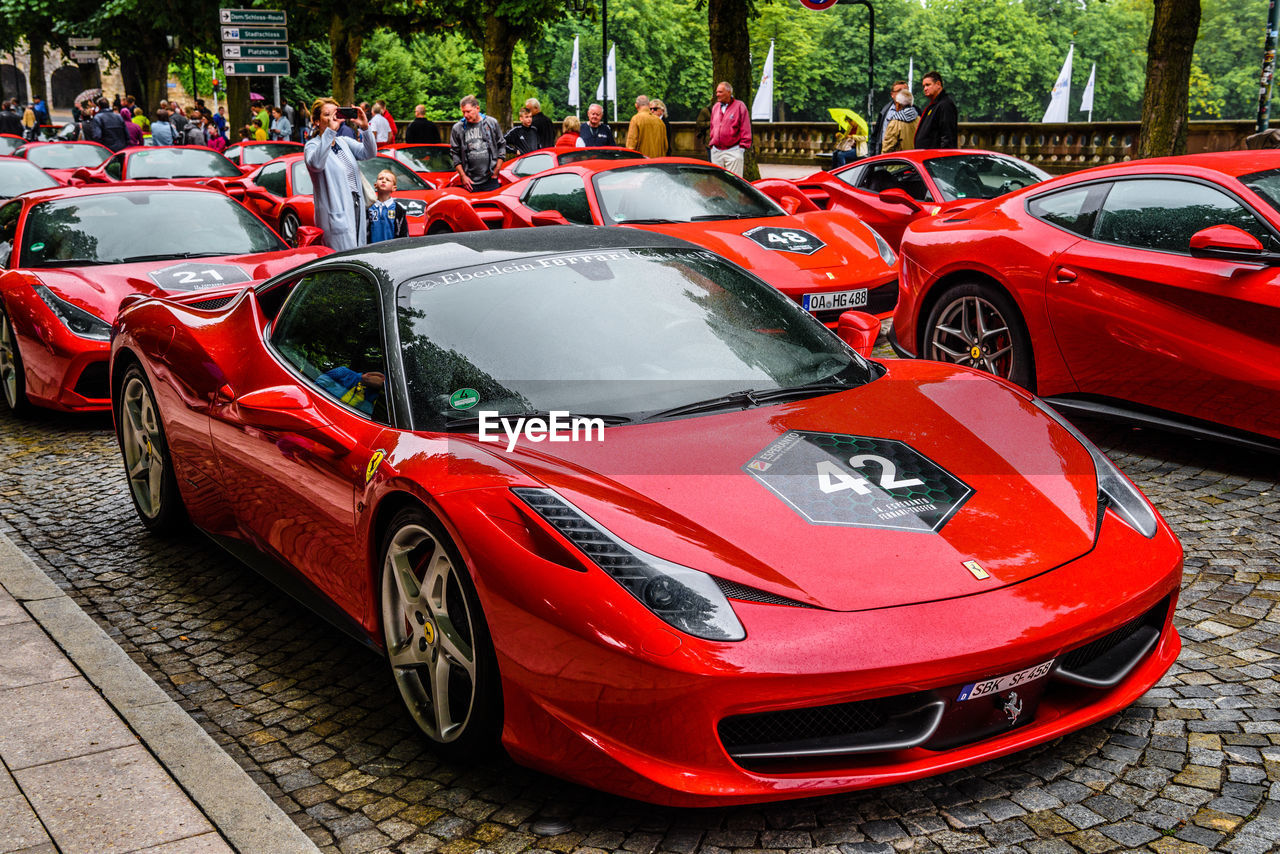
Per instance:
x=847, y=243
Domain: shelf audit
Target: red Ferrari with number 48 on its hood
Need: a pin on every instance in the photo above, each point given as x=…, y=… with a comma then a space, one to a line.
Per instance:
x=829, y=262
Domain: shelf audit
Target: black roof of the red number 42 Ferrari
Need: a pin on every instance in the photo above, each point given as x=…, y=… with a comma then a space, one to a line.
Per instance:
x=410, y=258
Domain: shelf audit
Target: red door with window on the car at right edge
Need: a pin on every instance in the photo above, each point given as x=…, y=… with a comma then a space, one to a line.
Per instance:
x=1140, y=319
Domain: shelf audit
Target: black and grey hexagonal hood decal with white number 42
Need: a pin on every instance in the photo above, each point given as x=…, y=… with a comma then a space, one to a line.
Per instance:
x=858, y=481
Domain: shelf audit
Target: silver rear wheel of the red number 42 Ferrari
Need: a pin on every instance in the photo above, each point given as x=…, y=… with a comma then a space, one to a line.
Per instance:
x=153, y=483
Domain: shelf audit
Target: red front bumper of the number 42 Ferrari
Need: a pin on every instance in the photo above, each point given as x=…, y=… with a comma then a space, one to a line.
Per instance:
x=600, y=692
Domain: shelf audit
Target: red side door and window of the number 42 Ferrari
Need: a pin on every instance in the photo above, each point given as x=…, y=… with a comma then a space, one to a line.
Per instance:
x=295, y=487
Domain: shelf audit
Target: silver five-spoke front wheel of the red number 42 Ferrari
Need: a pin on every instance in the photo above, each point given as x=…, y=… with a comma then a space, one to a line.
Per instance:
x=437, y=638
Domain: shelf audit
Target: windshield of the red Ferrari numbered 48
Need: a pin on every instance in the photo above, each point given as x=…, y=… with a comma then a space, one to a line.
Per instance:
x=678, y=194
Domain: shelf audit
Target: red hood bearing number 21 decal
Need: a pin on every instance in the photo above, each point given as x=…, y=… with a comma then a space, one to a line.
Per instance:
x=102, y=287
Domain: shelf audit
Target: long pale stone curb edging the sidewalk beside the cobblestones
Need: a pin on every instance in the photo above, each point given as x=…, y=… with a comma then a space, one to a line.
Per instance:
x=228, y=797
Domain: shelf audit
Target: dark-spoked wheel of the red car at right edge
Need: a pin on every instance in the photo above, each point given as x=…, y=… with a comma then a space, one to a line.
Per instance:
x=979, y=326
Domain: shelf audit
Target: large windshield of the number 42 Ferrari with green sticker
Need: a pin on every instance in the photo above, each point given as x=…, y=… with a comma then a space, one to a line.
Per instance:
x=610, y=332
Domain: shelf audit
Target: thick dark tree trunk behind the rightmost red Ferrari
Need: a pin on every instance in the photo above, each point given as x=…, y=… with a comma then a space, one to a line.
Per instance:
x=1169, y=72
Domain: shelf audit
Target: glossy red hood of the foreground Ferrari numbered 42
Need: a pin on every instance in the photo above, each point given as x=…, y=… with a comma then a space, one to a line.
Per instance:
x=740, y=495
